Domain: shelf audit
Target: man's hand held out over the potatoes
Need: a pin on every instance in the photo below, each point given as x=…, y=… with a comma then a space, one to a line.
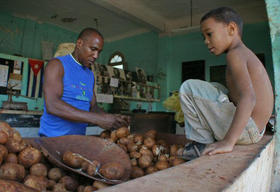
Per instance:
x=110, y=121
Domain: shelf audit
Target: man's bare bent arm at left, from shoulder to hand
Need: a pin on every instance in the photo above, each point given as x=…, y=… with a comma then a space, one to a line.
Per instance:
x=53, y=90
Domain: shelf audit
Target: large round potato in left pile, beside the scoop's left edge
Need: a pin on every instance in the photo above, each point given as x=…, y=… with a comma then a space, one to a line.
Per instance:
x=29, y=156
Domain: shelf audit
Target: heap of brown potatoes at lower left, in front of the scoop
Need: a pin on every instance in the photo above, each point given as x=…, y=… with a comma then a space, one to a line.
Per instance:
x=25, y=164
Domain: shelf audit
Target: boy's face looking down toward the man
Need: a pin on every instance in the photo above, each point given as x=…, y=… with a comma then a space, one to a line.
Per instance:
x=216, y=36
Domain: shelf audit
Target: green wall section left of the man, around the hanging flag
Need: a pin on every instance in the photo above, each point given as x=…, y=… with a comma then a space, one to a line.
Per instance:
x=23, y=37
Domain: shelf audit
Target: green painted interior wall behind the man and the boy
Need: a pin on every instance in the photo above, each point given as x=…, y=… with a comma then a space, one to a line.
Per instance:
x=149, y=51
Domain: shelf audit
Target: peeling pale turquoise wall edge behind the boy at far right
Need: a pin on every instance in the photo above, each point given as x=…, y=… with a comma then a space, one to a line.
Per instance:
x=273, y=11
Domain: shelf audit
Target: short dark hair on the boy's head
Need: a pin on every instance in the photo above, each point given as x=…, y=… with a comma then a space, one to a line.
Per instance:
x=225, y=15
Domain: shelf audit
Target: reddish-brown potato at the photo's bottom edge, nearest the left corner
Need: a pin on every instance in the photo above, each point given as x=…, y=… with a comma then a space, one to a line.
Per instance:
x=36, y=182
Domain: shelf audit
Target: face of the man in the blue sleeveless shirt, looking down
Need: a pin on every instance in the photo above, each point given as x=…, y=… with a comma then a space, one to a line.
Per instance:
x=89, y=49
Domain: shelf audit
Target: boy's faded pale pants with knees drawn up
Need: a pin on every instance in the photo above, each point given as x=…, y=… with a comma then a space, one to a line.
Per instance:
x=208, y=113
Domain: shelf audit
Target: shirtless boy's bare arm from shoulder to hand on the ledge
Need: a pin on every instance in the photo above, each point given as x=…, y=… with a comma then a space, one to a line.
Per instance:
x=237, y=69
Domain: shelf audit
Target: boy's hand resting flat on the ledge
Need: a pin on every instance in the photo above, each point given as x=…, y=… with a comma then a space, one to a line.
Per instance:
x=218, y=147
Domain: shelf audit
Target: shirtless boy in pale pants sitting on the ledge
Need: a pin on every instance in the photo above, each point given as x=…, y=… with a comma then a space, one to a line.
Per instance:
x=216, y=118
